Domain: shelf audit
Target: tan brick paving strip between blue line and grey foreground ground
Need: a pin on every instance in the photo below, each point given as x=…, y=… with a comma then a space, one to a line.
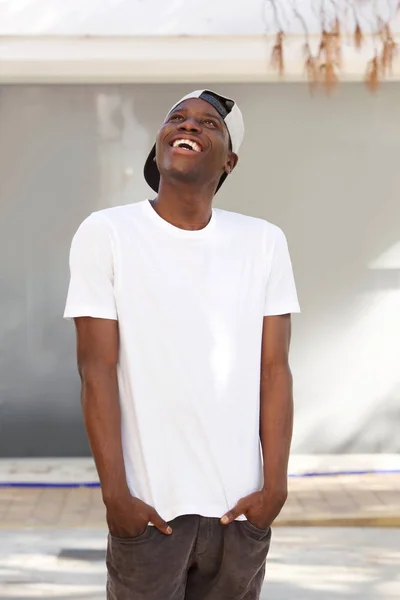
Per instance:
x=345, y=500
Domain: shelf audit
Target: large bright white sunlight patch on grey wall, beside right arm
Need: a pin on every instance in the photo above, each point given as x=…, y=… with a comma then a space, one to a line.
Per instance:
x=352, y=370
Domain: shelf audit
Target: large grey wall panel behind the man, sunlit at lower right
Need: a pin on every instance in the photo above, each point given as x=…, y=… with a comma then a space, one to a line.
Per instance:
x=325, y=170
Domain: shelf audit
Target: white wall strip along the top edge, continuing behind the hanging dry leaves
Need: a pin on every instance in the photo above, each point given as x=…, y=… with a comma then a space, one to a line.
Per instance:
x=175, y=17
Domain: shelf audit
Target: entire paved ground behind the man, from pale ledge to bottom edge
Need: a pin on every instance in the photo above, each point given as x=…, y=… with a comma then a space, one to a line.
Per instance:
x=52, y=541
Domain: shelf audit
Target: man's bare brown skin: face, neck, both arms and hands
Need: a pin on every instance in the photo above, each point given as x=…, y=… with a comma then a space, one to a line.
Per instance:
x=187, y=187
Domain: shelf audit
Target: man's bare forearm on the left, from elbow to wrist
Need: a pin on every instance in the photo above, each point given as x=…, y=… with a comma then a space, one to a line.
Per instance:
x=102, y=416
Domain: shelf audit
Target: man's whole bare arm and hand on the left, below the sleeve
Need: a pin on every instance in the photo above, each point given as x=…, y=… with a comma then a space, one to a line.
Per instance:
x=97, y=350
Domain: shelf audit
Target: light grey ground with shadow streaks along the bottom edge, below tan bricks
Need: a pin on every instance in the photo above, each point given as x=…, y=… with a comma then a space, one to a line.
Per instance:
x=304, y=564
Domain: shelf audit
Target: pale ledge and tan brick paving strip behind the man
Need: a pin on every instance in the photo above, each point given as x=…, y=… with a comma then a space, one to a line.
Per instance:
x=369, y=499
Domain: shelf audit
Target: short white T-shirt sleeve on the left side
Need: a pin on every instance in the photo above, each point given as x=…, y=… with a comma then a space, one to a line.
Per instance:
x=91, y=287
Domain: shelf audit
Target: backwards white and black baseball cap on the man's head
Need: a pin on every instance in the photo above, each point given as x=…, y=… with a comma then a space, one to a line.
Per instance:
x=229, y=111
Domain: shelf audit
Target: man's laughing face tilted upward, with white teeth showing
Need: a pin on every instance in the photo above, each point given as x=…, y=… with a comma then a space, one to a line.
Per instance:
x=193, y=145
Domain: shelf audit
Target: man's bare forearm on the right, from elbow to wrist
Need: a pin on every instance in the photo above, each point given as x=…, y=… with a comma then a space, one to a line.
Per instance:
x=276, y=424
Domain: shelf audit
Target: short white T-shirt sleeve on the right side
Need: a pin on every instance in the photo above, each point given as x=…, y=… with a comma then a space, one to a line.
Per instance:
x=281, y=295
